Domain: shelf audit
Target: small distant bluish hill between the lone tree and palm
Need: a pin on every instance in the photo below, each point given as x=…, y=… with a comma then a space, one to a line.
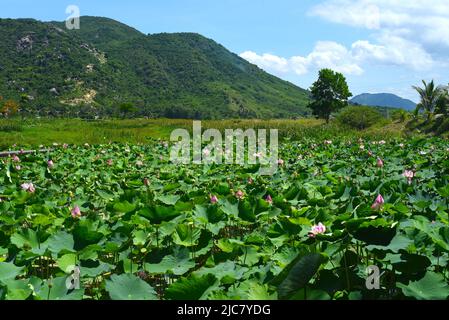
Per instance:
x=384, y=100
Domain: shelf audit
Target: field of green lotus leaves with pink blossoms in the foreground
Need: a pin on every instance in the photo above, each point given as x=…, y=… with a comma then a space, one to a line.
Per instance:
x=119, y=221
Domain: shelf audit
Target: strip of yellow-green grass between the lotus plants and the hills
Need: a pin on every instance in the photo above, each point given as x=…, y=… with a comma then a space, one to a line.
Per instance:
x=35, y=132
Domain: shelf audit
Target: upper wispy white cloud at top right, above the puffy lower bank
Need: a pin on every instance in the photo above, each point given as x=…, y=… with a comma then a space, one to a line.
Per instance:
x=421, y=21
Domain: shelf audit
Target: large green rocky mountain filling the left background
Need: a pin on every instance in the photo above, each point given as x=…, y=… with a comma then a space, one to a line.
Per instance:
x=105, y=64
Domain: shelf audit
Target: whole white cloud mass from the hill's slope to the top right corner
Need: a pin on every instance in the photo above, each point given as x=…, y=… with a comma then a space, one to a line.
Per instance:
x=413, y=34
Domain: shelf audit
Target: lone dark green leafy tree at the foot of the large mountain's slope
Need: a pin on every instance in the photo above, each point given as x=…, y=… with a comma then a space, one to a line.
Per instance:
x=330, y=93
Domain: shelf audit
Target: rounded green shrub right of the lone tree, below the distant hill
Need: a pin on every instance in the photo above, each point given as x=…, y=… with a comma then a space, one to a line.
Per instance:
x=359, y=117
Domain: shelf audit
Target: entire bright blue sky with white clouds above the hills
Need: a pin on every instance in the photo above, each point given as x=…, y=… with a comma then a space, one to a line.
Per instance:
x=380, y=45
